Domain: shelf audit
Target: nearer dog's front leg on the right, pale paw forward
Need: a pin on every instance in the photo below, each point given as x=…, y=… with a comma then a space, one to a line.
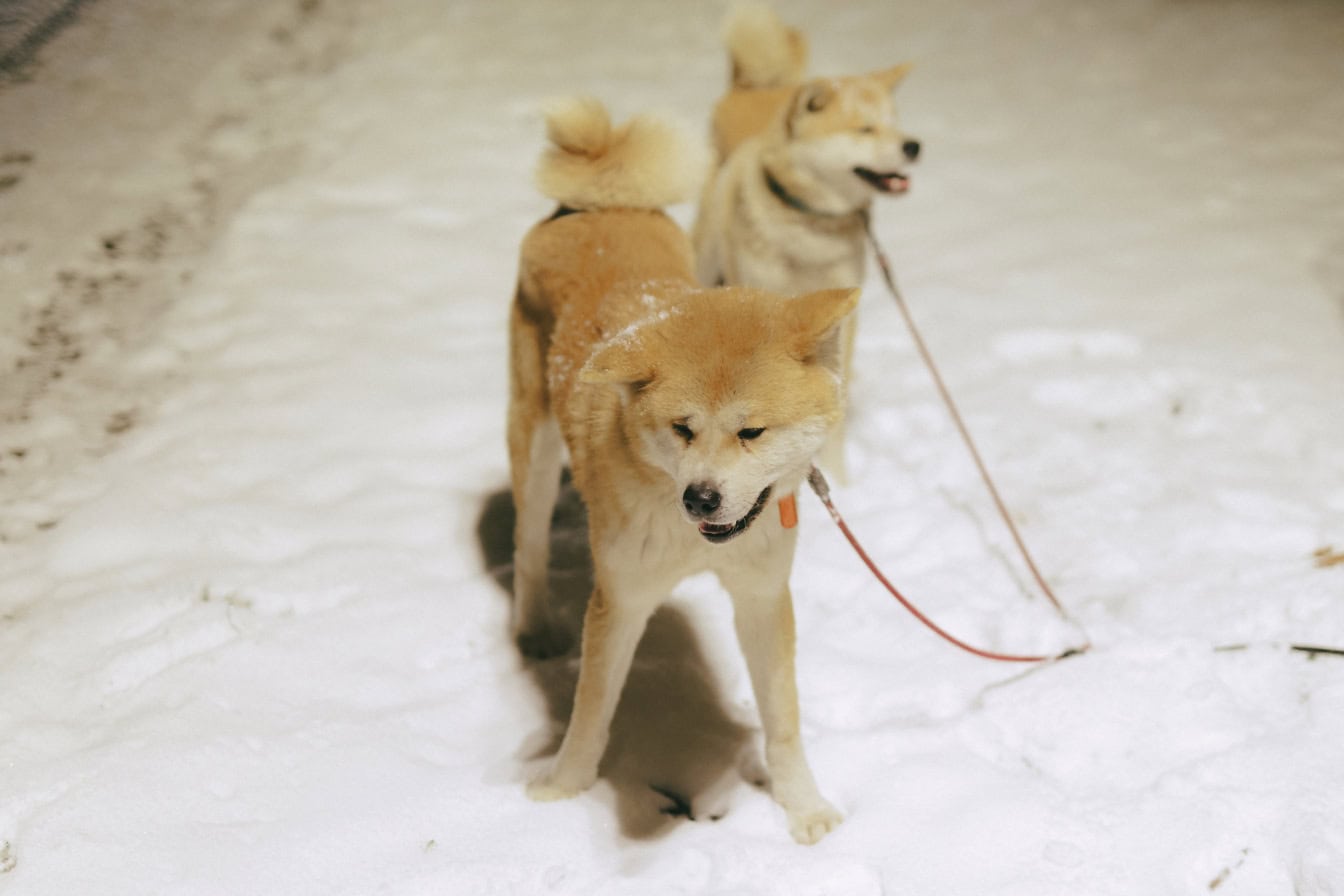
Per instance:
x=764, y=621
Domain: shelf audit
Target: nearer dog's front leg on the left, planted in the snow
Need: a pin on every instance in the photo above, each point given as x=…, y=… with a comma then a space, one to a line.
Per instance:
x=612, y=628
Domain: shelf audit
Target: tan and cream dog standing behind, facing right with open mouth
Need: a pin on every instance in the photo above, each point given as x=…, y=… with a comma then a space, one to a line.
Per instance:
x=802, y=162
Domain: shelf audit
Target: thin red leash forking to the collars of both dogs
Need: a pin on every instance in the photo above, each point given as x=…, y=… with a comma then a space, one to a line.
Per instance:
x=823, y=490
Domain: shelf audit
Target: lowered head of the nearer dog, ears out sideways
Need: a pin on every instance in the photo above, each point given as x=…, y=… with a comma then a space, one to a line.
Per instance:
x=730, y=393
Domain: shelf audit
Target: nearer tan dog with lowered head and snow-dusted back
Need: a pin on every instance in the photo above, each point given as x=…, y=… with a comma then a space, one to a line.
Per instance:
x=687, y=414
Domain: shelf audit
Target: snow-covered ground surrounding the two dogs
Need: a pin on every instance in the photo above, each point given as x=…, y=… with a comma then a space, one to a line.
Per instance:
x=256, y=265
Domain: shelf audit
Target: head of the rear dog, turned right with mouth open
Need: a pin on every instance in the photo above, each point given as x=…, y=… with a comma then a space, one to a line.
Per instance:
x=843, y=132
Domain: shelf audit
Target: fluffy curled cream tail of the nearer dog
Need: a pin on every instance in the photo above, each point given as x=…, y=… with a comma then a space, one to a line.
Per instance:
x=646, y=163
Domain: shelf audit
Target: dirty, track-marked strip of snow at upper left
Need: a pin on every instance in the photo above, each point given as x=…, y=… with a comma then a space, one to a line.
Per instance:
x=95, y=288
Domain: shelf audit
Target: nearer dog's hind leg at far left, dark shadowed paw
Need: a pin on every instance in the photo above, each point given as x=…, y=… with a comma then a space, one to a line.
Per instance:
x=537, y=456
